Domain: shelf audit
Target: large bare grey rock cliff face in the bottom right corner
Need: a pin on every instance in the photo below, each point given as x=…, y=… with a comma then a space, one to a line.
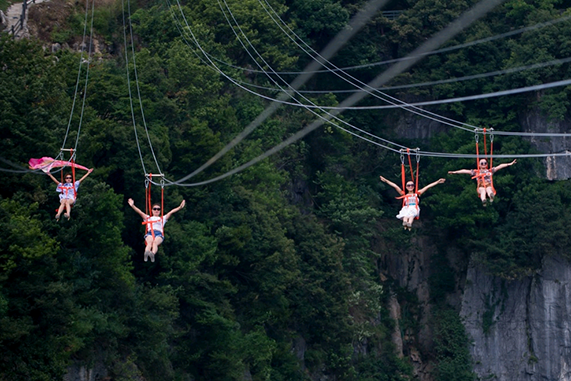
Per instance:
x=521, y=330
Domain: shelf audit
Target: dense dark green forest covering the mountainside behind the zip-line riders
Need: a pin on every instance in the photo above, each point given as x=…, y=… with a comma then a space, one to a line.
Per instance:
x=276, y=272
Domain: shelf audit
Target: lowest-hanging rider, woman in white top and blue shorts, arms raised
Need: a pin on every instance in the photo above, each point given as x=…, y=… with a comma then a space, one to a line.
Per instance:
x=155, y=227
